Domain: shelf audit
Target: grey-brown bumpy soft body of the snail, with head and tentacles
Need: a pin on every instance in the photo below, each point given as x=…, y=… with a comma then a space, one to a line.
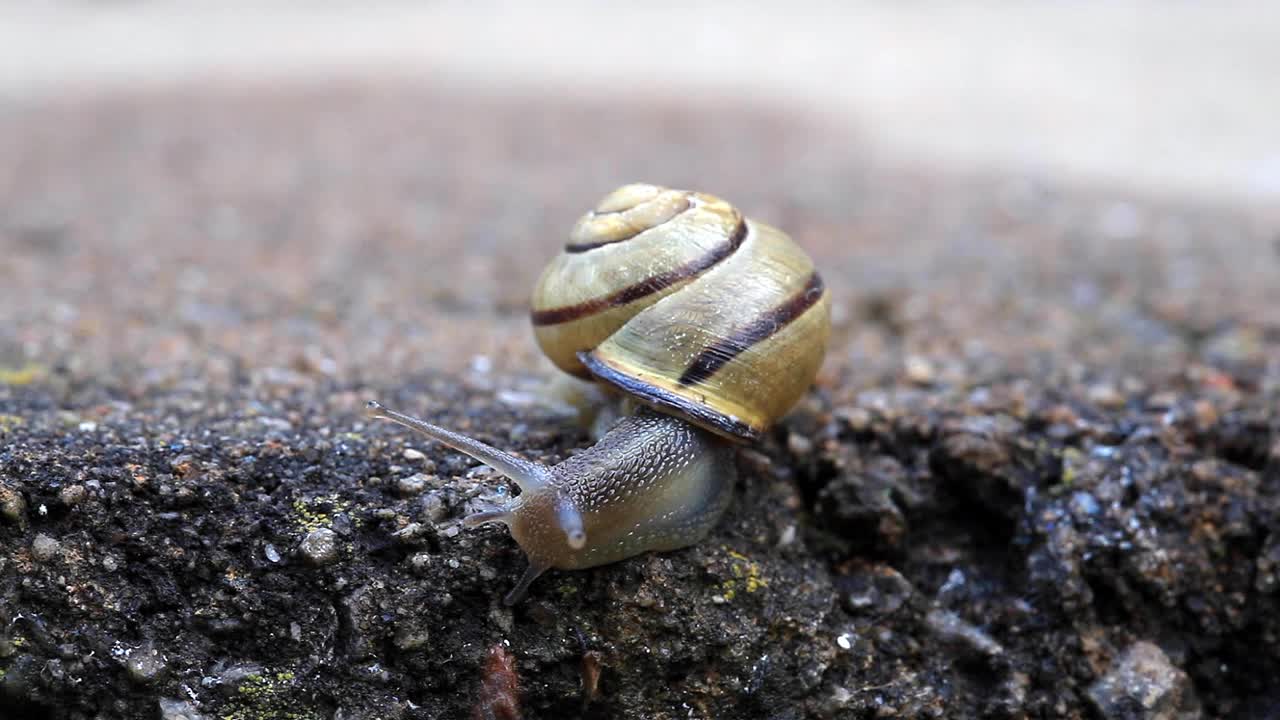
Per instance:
x=652, y=484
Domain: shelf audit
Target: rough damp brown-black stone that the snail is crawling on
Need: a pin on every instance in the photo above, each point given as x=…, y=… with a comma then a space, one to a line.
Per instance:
x=1039, y=476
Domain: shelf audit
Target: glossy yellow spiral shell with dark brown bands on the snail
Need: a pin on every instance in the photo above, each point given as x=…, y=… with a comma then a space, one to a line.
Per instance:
x=680, y=302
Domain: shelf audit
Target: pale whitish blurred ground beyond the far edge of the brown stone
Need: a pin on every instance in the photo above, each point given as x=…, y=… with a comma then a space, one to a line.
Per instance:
x=1167, y=97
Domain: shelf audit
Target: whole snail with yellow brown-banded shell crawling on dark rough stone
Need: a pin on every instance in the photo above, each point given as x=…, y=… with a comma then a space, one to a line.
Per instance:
x=712, y=323
